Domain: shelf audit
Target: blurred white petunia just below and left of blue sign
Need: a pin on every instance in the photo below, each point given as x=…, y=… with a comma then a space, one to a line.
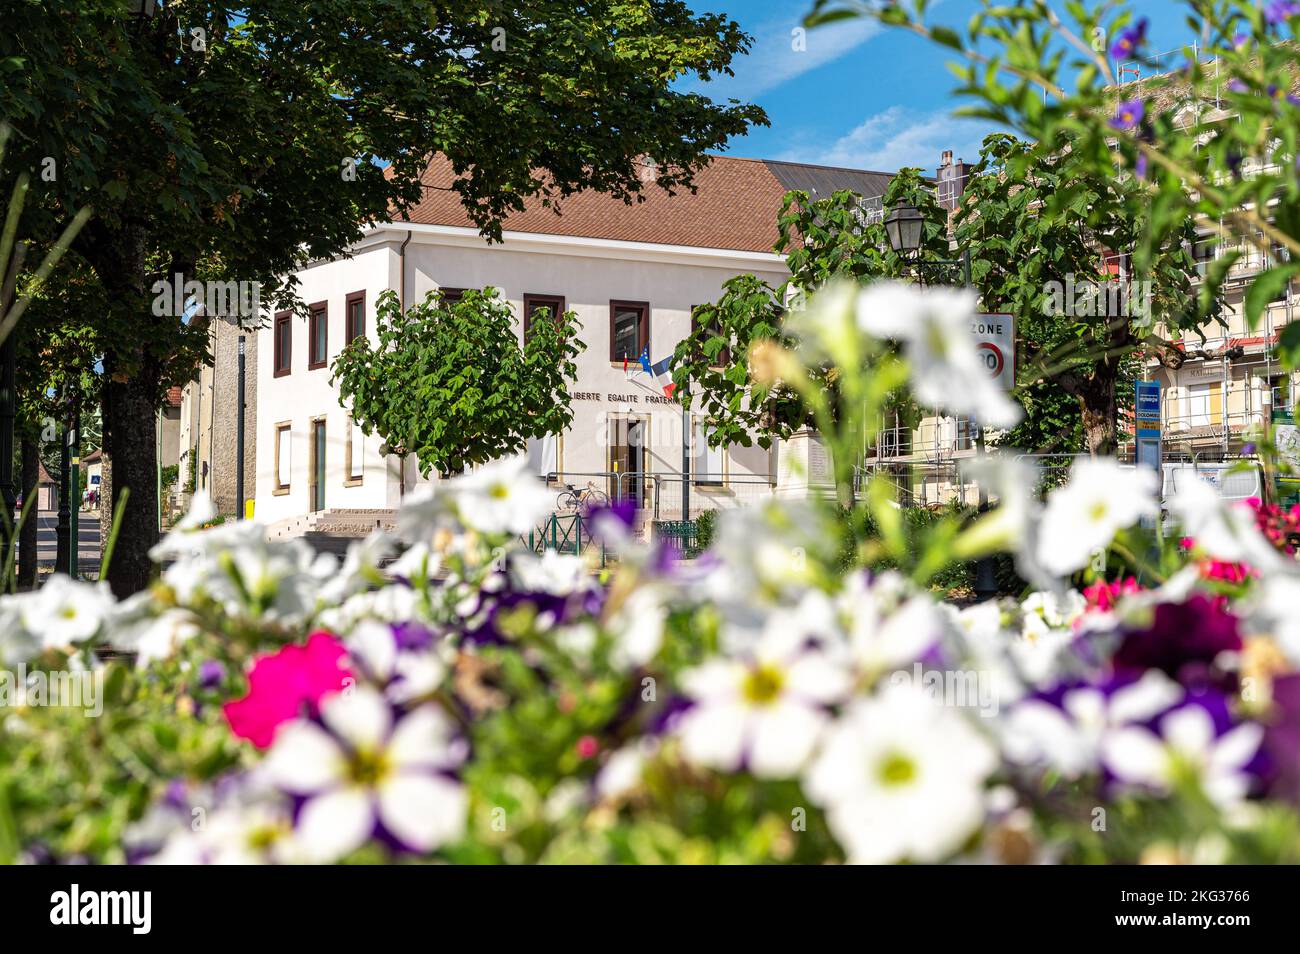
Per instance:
x=1084, y=517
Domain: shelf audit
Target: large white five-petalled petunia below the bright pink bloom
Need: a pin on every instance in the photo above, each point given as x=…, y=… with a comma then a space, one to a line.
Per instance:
x=361, y=770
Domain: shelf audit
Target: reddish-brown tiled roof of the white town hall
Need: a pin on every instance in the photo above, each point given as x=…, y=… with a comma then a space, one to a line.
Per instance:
x=735, y=206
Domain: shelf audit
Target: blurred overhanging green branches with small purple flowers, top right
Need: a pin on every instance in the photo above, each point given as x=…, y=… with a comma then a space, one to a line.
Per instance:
x=1211, y=142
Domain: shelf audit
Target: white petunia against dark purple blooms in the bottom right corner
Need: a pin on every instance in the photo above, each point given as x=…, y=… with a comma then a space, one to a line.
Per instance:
x=1186, y=748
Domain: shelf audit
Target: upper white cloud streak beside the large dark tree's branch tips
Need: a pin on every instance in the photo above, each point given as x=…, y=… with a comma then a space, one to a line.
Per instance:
x=779, y=55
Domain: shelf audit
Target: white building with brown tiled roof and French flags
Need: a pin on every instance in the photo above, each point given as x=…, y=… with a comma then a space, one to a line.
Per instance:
x=632, y=275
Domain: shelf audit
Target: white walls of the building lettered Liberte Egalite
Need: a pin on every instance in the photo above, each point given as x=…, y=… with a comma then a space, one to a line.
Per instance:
x=588, y=275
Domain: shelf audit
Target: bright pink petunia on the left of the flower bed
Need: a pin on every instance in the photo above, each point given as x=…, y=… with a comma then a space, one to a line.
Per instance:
x=284, y=684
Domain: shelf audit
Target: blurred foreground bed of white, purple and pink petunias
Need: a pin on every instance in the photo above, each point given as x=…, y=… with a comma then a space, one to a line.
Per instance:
x=475, y=703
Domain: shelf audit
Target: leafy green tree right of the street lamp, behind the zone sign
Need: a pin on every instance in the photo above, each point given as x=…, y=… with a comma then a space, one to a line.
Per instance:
x=1046, y=232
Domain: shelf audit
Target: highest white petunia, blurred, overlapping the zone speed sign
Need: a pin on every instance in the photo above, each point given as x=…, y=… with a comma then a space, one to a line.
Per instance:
x=934, y=327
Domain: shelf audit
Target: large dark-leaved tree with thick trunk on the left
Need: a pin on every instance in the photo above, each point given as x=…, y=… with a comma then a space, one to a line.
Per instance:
x=249, y=137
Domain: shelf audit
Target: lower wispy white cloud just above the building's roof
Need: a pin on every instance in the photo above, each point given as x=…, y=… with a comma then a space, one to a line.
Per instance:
x=895, y=138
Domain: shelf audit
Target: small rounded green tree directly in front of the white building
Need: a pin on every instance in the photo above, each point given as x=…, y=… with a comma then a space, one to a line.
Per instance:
x=452, y=384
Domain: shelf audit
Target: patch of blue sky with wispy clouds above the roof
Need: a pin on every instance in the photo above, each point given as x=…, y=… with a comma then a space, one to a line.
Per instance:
x=861, y=96
